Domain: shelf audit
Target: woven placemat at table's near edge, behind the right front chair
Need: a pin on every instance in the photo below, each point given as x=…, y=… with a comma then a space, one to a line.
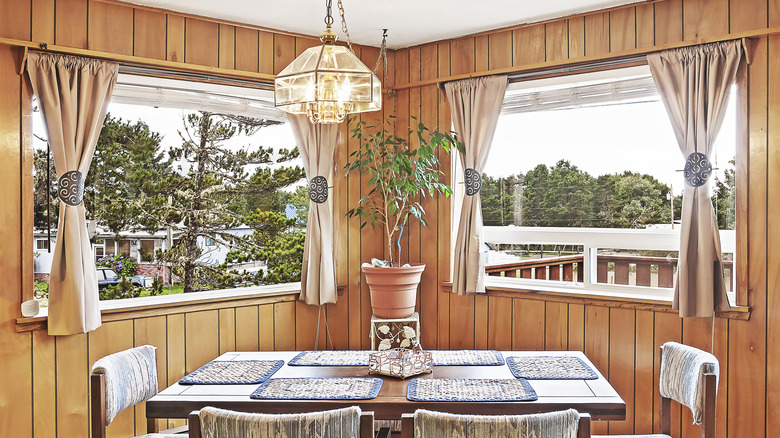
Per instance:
x=470, y=390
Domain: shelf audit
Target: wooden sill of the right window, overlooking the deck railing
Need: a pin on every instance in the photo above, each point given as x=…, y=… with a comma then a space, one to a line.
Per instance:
x=503, y=288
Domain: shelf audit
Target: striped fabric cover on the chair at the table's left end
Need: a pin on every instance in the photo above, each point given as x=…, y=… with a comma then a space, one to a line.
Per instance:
x=131, y=378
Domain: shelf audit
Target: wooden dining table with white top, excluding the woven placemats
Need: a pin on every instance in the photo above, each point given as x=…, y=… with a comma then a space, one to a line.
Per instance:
x=596, y=397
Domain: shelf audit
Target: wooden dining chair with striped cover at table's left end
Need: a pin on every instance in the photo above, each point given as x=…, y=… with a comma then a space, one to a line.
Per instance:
x=121, y=380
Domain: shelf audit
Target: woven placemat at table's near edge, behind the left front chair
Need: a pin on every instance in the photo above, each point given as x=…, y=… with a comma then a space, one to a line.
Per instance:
x=316, y=388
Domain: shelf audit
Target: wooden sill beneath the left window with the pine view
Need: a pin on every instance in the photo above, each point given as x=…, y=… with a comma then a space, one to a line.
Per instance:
x=129, y=308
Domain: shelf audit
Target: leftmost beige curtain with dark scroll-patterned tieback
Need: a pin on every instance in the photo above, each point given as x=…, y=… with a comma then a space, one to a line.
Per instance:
x=73, y=95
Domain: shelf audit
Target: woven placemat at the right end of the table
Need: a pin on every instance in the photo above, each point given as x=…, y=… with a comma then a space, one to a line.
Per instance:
x=550, y=367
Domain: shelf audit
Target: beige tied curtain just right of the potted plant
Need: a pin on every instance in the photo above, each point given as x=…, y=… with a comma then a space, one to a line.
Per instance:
x=475, y=105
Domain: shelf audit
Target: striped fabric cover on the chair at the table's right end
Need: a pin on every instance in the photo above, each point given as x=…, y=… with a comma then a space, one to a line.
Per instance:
x=681, y=375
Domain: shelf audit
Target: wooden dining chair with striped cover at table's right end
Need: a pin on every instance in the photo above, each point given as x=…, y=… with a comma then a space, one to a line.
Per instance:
x=689, y=376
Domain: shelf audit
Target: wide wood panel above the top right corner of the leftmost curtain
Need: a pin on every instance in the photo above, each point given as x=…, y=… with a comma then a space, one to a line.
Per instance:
x=111, y=28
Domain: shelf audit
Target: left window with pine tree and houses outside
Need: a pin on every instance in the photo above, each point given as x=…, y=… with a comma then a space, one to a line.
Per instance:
x=164, y=144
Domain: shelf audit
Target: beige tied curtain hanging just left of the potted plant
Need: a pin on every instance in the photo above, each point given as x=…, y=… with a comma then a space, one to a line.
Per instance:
x=317, y=143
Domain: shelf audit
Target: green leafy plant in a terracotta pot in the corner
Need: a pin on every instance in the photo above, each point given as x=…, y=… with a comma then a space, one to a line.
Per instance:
x=398, y=176
